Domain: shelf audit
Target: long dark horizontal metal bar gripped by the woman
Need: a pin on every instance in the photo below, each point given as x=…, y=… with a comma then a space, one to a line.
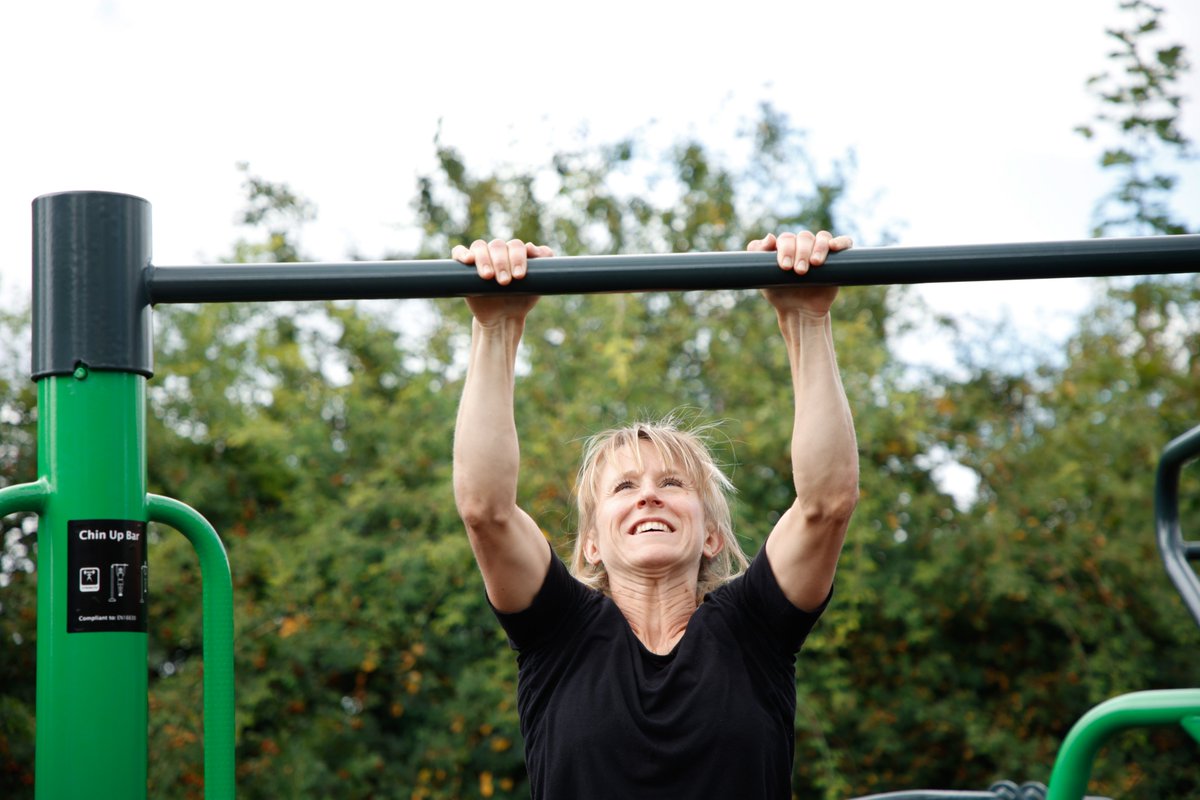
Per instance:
x=675, y=273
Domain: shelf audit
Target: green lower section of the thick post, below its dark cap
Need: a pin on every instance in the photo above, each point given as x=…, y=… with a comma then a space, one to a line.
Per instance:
x=92, y=663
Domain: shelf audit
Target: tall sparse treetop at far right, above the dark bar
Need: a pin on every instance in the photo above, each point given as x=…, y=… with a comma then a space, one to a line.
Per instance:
x=1139, y=125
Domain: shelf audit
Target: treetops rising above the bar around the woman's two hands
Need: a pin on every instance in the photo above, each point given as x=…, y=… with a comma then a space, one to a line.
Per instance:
x=620, y=200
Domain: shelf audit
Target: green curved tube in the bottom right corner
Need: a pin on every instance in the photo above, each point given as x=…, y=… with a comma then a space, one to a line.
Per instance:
x=1073, y=768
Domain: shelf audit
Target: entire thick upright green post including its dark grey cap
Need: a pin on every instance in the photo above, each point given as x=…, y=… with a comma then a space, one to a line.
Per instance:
x=92, y=359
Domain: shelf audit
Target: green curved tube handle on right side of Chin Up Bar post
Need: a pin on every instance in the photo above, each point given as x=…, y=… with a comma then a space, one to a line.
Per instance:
x=218, y=604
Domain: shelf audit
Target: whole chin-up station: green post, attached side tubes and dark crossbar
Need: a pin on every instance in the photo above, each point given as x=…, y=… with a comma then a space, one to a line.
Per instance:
x=94, y=288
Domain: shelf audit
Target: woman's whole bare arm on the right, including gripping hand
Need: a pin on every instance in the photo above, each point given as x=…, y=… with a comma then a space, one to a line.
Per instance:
x=805, y=546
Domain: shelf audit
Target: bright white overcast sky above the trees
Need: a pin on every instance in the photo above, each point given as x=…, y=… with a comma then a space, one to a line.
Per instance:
x=962, y=115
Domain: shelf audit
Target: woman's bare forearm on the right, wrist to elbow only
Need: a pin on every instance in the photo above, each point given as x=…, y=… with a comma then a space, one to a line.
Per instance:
x=825, y=450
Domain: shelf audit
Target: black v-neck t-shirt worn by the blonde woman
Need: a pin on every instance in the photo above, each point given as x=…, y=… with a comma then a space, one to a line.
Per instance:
x=605, y=718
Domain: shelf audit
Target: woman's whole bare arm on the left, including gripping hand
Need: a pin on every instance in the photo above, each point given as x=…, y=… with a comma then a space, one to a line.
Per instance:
x=511, y=549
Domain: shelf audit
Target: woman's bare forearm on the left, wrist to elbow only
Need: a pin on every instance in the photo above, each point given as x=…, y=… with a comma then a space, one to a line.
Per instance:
x=487, y=453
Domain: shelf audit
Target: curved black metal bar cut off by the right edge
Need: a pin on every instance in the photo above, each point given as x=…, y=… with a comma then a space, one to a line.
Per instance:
x=1172, y=546
